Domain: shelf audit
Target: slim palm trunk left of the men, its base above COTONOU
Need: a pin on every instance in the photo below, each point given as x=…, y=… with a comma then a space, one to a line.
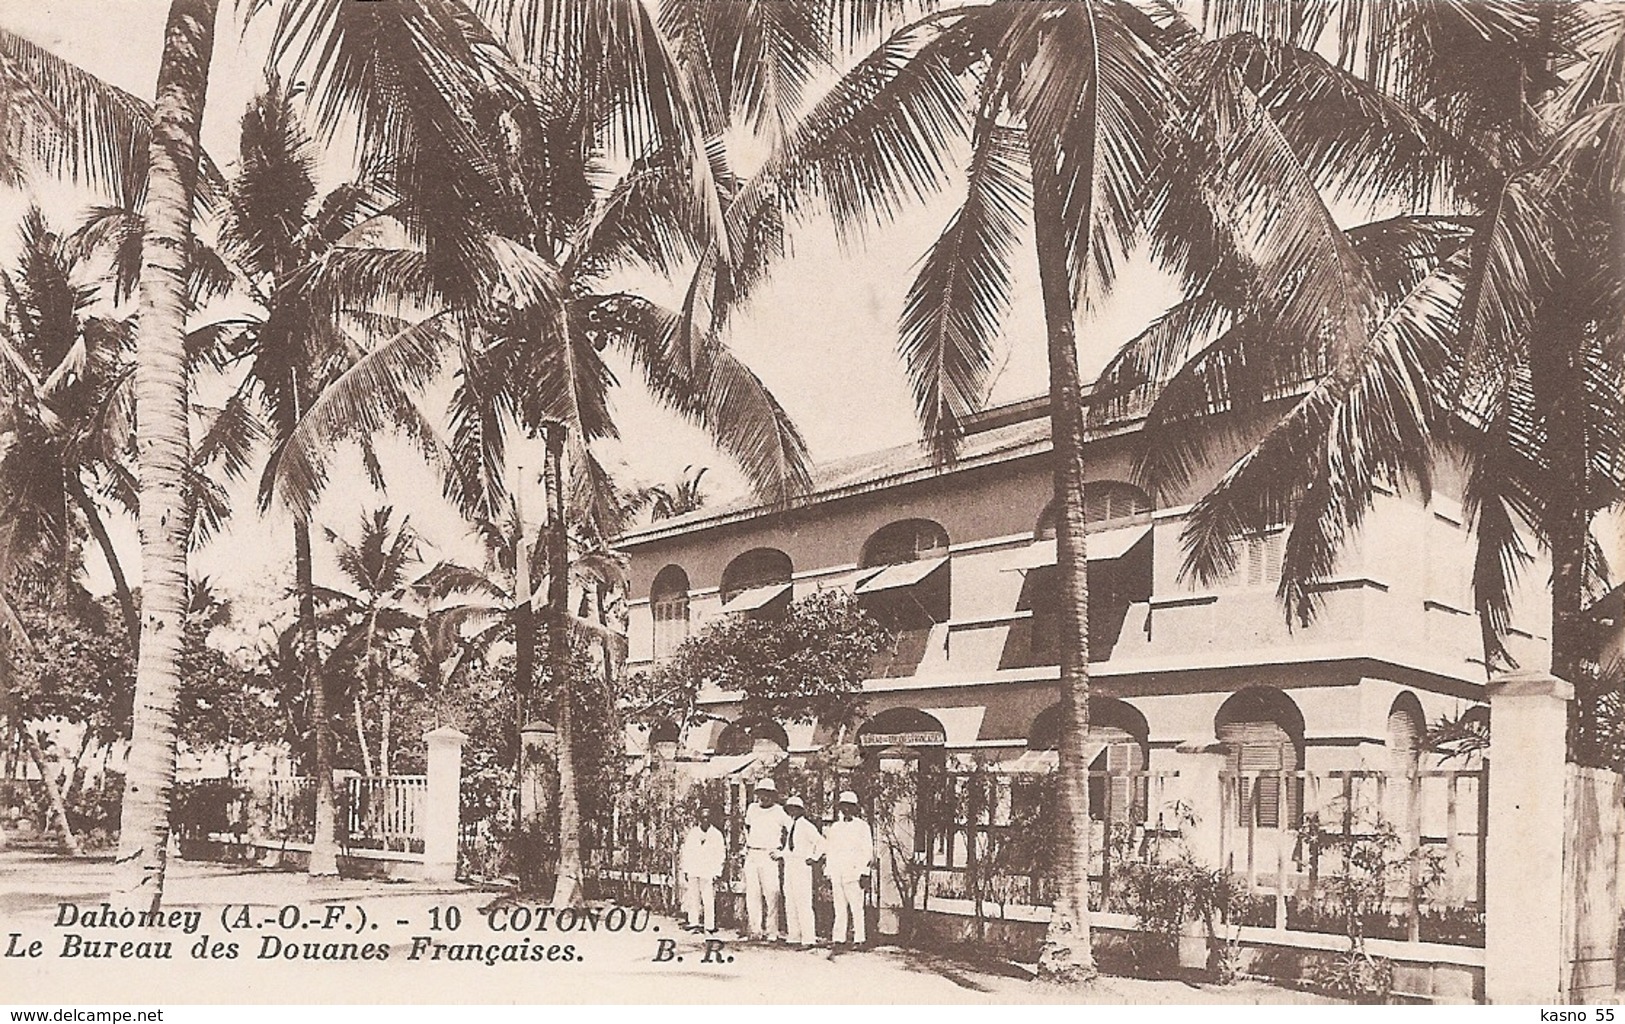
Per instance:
x=566, y=887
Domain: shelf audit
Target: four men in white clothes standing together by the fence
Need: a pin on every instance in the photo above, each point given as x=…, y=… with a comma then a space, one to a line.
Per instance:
x=782, y=843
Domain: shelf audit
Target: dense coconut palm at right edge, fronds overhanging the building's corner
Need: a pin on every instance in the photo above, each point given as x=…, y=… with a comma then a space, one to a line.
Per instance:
x=1494, y=326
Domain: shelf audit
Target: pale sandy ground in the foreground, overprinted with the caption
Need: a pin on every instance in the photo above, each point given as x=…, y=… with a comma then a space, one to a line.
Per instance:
x=248, y=906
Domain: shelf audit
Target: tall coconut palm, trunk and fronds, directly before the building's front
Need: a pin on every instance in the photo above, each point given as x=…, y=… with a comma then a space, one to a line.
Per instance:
x=1111, y=129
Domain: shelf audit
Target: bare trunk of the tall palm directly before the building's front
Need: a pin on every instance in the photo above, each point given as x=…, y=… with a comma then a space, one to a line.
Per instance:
x=1067, y=953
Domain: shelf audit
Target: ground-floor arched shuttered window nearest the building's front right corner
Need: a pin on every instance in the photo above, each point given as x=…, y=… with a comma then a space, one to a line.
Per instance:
x=1263, y=735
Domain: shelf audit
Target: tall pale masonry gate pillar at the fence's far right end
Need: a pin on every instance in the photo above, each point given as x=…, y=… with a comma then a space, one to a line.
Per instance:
x=1523, y=913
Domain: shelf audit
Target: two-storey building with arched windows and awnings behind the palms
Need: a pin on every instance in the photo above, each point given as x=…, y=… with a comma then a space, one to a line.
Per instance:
x=960, y=562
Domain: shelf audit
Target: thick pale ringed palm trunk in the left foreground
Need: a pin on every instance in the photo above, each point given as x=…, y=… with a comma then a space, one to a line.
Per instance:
x=163, y=446
